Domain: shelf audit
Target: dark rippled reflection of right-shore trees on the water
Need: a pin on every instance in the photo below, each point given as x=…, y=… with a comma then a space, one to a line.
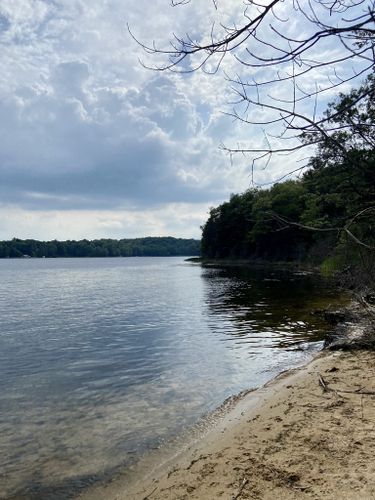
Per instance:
x=268, y=308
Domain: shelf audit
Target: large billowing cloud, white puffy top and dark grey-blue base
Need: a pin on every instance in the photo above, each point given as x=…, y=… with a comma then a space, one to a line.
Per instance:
x=73, y=147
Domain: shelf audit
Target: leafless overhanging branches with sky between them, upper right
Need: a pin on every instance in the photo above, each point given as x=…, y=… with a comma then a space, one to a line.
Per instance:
x=334, y=46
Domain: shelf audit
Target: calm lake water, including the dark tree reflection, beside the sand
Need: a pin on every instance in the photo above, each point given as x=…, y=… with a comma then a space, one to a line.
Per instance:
x=102, y=359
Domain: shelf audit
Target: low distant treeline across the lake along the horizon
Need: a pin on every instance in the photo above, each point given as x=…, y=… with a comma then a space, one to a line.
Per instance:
x=139, y=247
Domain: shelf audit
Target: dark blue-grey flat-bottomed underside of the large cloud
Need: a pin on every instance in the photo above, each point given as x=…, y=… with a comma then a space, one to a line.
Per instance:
x=139, y=177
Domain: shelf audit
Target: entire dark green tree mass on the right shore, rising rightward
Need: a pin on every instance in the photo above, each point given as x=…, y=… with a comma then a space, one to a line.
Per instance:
x=328, y=215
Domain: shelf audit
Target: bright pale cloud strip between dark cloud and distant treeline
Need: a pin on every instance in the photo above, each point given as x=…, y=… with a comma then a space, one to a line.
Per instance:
x=177, y=220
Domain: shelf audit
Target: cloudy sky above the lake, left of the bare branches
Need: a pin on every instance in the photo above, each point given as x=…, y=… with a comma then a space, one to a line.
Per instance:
x=93, y=145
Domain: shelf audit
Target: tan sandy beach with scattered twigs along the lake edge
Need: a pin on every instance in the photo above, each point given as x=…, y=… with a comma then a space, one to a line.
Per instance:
x=291, y=439
